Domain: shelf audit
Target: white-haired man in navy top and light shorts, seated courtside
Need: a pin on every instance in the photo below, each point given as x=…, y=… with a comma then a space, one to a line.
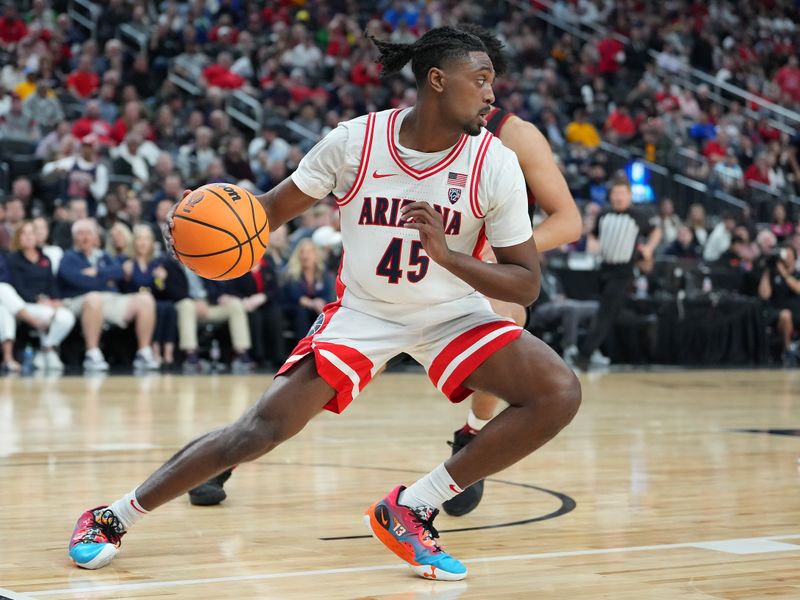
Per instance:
x=89, y=280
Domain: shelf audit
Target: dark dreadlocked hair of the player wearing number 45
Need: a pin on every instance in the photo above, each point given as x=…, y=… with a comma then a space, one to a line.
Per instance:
x=433, y=49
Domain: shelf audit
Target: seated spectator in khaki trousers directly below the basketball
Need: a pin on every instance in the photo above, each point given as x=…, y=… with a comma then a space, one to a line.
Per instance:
x=210, y=302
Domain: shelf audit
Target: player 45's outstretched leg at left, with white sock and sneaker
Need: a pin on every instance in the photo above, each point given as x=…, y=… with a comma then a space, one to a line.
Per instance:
x=283, y=410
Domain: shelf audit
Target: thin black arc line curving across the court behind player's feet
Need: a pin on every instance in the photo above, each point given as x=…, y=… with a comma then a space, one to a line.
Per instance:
x=567, y=503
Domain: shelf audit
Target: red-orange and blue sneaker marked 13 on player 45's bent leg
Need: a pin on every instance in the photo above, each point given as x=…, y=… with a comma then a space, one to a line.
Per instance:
x=409, y=533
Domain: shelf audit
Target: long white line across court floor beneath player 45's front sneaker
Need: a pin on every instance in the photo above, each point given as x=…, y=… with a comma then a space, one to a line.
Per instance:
x=370, y=568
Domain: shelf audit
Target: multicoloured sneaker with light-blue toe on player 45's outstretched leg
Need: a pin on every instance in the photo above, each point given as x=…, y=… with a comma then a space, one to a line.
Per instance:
x=96, y=538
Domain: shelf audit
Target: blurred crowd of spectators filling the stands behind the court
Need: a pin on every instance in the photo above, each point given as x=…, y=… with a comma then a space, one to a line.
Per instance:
x=108, y=111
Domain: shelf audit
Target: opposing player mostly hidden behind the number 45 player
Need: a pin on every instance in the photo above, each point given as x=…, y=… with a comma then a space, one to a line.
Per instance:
x=545, y=186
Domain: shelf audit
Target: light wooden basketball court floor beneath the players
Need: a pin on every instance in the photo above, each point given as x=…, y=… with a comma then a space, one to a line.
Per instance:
x=651, y=493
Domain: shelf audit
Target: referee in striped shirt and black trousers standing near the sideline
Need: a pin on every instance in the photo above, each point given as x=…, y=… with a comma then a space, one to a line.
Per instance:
x=619, y=229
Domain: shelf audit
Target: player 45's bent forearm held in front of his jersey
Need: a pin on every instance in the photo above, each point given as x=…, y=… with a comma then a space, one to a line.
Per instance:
x=508, y=282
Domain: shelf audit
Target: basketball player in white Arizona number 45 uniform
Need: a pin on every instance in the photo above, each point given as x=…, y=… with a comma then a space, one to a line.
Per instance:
x=419, y=190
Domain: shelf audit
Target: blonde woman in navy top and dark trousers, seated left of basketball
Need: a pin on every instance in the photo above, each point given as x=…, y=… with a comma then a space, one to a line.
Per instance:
x=147, y=272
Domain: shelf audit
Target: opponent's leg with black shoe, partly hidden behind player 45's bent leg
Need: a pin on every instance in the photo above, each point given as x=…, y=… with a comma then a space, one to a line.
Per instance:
x=483, y=407
